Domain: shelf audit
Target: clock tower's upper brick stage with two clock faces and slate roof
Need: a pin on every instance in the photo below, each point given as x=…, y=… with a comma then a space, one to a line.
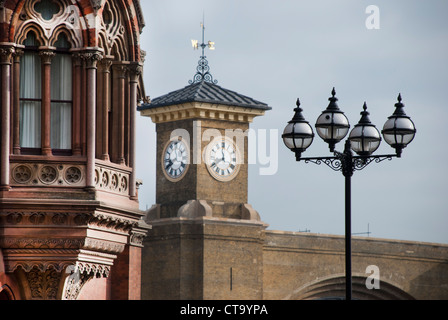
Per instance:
x=202, y=150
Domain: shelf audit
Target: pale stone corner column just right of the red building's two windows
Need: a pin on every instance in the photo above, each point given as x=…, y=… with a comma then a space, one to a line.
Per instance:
x=91, y=58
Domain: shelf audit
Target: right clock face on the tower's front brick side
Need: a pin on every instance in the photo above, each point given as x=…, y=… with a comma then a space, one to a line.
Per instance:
x=222, y=160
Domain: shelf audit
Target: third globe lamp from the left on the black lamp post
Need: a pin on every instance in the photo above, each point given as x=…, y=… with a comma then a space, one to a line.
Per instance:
x=365, y=137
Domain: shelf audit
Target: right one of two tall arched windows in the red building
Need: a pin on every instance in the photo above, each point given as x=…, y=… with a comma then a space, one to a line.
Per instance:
x=61, y=97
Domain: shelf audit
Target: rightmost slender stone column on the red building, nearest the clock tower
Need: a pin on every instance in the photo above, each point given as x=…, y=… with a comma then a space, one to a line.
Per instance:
x=135, y=72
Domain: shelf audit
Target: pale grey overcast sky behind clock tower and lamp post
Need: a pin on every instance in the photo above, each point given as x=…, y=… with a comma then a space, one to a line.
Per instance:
x=277, y=51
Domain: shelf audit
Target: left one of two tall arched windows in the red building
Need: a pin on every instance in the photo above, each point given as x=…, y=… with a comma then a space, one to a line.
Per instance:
x=30, y=95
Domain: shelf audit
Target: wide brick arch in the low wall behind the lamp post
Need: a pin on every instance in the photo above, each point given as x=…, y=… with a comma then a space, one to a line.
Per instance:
x=333, y=287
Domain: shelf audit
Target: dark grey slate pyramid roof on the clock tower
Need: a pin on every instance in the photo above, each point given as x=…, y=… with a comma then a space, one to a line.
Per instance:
x=207, y=92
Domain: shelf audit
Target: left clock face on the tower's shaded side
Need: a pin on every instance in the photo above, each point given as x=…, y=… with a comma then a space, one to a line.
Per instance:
x=175, y=160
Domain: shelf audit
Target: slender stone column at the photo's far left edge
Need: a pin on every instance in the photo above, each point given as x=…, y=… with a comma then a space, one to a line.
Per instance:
x=5, y=64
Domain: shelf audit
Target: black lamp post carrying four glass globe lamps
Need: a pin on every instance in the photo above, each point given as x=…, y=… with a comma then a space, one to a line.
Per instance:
x=332, y=126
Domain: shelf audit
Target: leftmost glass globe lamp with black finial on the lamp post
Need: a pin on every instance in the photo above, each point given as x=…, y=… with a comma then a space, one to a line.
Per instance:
x=298, y=134
